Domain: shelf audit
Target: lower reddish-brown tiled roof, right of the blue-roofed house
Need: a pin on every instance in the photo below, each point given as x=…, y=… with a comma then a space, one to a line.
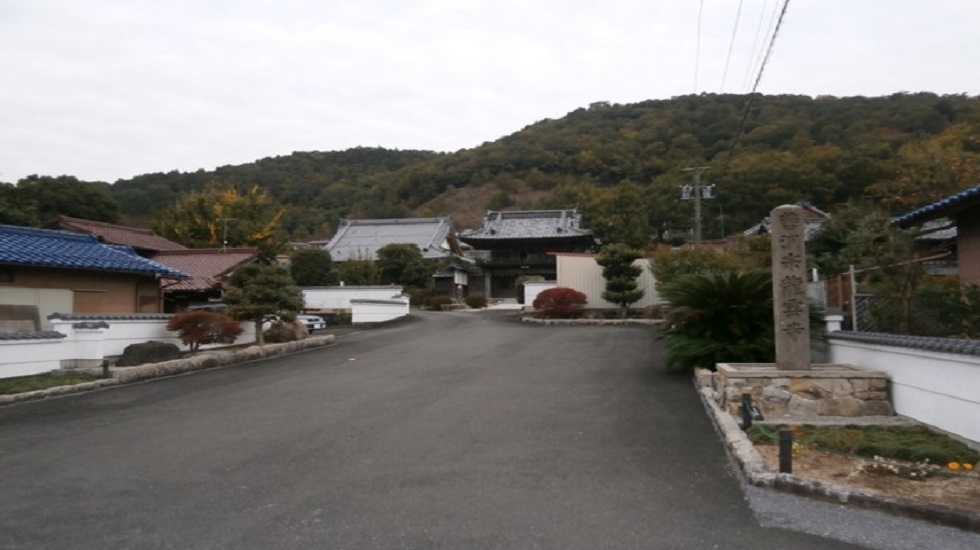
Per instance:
x=206, y=266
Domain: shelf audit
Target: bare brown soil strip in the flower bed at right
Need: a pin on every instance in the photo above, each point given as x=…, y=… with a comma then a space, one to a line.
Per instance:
x=959, y=491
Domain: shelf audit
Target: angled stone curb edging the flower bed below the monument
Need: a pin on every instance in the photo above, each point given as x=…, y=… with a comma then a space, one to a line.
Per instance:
x=754, y=472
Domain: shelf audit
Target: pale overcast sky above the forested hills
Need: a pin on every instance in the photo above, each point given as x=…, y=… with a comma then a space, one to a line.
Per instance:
x=109, y=89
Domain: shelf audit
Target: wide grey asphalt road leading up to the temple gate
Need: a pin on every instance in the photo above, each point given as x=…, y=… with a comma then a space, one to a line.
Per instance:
x=446, y=431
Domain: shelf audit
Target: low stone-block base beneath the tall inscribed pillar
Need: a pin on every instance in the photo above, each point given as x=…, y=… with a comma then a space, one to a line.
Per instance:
x=824, y=390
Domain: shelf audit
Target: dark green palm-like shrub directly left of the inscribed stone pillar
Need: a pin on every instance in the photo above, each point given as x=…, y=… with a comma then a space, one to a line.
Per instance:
x=719, y=317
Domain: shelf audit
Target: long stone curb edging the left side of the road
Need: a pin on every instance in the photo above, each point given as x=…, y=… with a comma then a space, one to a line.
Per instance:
x=204, y=360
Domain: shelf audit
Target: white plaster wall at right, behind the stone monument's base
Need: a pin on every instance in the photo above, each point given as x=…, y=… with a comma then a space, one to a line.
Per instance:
x=935, y=388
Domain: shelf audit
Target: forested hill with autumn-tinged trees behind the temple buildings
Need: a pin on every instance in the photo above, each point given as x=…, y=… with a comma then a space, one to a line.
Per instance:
x=608, y=159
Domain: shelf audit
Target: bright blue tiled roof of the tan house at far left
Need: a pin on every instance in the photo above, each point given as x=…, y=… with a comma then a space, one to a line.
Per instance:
x=49, y=248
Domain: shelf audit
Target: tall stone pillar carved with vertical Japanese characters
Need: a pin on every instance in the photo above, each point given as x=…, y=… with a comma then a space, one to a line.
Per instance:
x=790, y=308
